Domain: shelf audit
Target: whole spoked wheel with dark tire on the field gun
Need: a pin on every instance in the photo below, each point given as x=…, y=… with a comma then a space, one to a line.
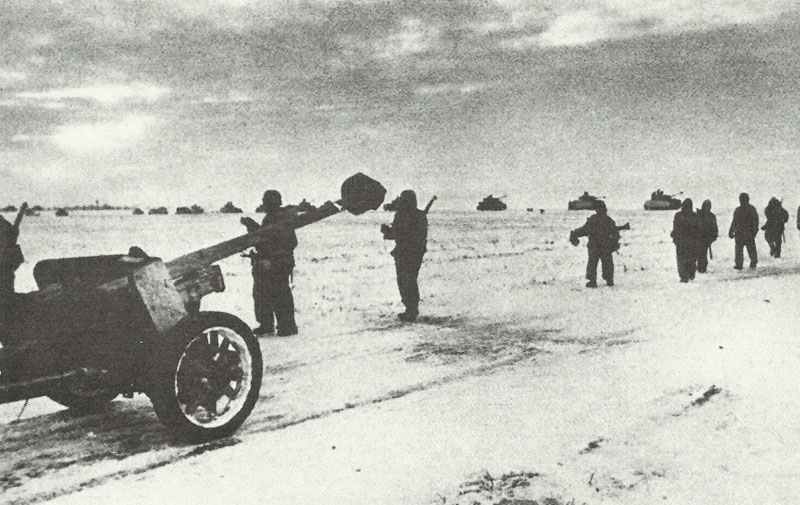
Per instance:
x=208, y=383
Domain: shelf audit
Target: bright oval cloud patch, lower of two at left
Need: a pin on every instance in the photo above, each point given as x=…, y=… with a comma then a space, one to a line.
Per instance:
x=103, y=138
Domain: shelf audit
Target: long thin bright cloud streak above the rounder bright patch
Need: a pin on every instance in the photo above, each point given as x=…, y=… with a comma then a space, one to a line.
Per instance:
x=106, y=94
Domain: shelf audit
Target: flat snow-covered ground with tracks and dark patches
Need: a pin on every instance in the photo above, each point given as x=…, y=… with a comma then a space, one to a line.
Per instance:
x=517, y=385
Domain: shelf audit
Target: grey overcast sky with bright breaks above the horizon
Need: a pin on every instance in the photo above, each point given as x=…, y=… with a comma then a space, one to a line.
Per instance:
x=182, y=101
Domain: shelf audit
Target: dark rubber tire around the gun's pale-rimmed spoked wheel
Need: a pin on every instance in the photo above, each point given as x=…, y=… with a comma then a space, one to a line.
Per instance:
x=162, y=389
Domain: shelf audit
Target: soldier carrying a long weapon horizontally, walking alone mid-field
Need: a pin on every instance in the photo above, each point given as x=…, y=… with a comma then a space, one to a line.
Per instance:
x=603, y=240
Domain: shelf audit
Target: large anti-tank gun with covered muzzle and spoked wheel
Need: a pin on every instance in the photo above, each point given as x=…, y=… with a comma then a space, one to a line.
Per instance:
x=104, y=325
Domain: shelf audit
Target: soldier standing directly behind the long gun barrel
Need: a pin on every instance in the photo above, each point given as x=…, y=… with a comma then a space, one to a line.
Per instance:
x=273, y=263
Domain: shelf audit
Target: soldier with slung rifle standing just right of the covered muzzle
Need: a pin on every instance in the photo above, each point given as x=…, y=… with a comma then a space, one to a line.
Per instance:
x=409, y=230
